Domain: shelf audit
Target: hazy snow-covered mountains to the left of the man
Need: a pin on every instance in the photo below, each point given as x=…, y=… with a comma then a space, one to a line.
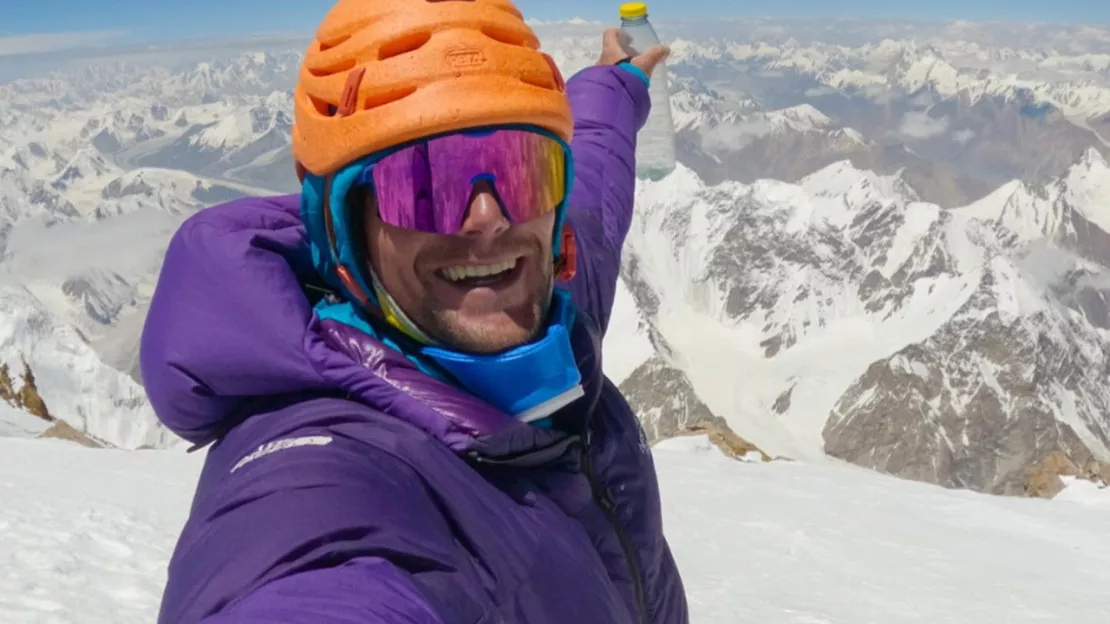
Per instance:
x=95, y=177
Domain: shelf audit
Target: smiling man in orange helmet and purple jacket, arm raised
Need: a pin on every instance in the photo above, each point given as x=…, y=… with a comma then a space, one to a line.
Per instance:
x=408, y=416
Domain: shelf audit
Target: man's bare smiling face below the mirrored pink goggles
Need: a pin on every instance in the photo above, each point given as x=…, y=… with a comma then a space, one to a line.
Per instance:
x=485, y=290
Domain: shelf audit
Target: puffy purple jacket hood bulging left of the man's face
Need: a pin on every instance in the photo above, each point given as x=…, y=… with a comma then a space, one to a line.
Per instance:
x=229, y=319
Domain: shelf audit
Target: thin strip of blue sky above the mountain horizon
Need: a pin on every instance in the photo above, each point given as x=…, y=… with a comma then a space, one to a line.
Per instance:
x=44, y=26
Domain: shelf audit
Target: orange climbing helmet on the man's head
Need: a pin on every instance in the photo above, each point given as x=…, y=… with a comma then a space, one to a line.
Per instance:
x=384, y=73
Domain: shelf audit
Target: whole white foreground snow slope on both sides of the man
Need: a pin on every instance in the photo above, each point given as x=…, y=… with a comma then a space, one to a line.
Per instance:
x=88, y=536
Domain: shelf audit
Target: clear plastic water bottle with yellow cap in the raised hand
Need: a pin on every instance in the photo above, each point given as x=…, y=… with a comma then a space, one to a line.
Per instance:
x=655, y=145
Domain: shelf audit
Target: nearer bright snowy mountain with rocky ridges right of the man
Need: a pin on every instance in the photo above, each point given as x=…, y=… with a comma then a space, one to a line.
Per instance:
x=843, y=316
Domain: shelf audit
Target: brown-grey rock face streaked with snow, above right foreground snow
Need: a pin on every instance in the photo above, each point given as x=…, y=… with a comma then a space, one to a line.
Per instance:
x=952, y=424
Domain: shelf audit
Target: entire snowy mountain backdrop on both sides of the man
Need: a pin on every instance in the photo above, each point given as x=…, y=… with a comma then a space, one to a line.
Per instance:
x=886, y=244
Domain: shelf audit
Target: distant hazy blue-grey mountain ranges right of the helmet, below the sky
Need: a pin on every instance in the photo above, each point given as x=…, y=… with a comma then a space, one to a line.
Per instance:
x=965, y=110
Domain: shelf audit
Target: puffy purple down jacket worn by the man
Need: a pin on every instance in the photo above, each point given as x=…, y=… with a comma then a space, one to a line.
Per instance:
x=346, y=487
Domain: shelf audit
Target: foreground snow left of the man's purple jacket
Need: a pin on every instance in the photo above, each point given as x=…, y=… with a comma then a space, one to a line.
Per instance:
x=87, y=536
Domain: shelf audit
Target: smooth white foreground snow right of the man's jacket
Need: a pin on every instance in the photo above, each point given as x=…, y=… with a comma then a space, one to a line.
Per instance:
x=795, y=544
